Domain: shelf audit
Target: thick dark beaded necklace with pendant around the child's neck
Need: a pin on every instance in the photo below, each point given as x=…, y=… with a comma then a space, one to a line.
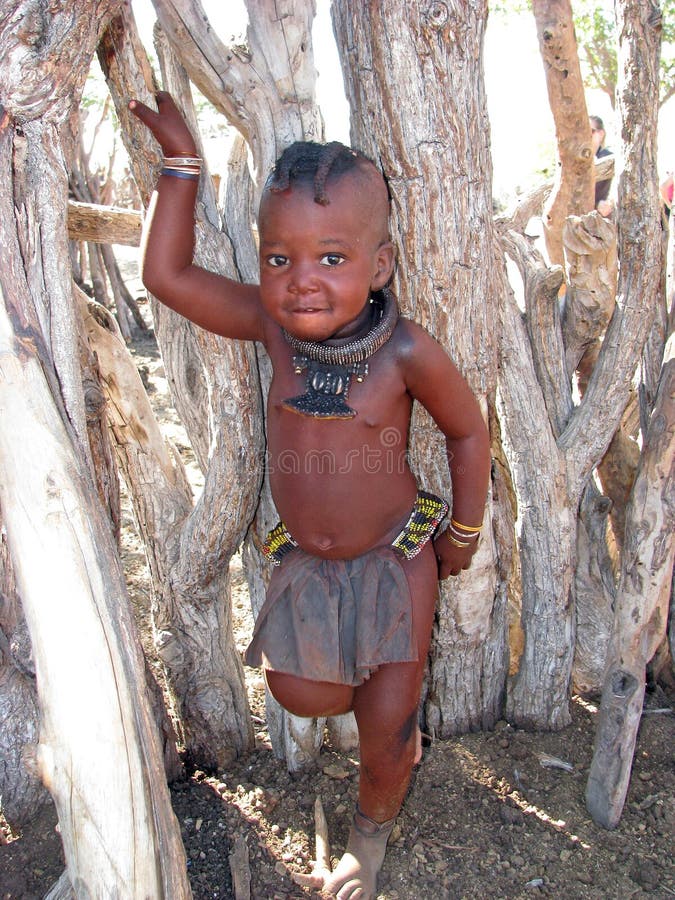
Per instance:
x=330, y=368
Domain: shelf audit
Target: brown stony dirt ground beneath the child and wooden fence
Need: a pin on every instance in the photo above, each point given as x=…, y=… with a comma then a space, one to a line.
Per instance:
x=487, y=814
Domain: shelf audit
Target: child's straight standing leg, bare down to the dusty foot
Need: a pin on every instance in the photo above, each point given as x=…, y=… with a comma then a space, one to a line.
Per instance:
x=386, y=713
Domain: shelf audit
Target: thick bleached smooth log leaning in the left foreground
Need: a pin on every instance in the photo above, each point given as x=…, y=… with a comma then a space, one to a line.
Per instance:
x=98, y=752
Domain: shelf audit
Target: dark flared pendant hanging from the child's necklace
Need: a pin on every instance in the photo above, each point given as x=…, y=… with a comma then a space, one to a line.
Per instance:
x=327, y=388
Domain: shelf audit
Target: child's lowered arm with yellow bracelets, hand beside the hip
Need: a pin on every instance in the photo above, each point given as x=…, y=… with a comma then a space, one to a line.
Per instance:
x=433, y=380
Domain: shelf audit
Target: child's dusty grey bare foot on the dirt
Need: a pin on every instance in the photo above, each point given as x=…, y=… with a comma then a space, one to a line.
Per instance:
x=355, y=877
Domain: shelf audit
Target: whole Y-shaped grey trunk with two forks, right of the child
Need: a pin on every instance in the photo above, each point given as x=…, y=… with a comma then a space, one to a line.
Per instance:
x=551, y=471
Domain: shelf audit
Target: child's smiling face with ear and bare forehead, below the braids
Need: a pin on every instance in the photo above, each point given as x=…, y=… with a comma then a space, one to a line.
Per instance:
x=318, y=264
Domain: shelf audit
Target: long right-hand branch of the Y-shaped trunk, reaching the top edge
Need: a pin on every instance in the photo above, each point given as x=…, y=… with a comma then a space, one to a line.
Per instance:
x=593, y=423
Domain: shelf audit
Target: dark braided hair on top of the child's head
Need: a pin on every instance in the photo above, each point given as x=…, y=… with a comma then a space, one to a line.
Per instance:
x=307, y=162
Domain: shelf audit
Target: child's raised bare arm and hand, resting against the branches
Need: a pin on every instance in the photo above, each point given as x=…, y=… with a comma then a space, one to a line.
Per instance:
x=212, y=301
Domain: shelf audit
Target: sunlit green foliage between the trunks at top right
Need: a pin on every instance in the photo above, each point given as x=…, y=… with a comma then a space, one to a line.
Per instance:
x=596, y=37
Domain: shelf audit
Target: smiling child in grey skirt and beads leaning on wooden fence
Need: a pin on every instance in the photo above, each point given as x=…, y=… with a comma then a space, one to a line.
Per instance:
x=347, y=620
